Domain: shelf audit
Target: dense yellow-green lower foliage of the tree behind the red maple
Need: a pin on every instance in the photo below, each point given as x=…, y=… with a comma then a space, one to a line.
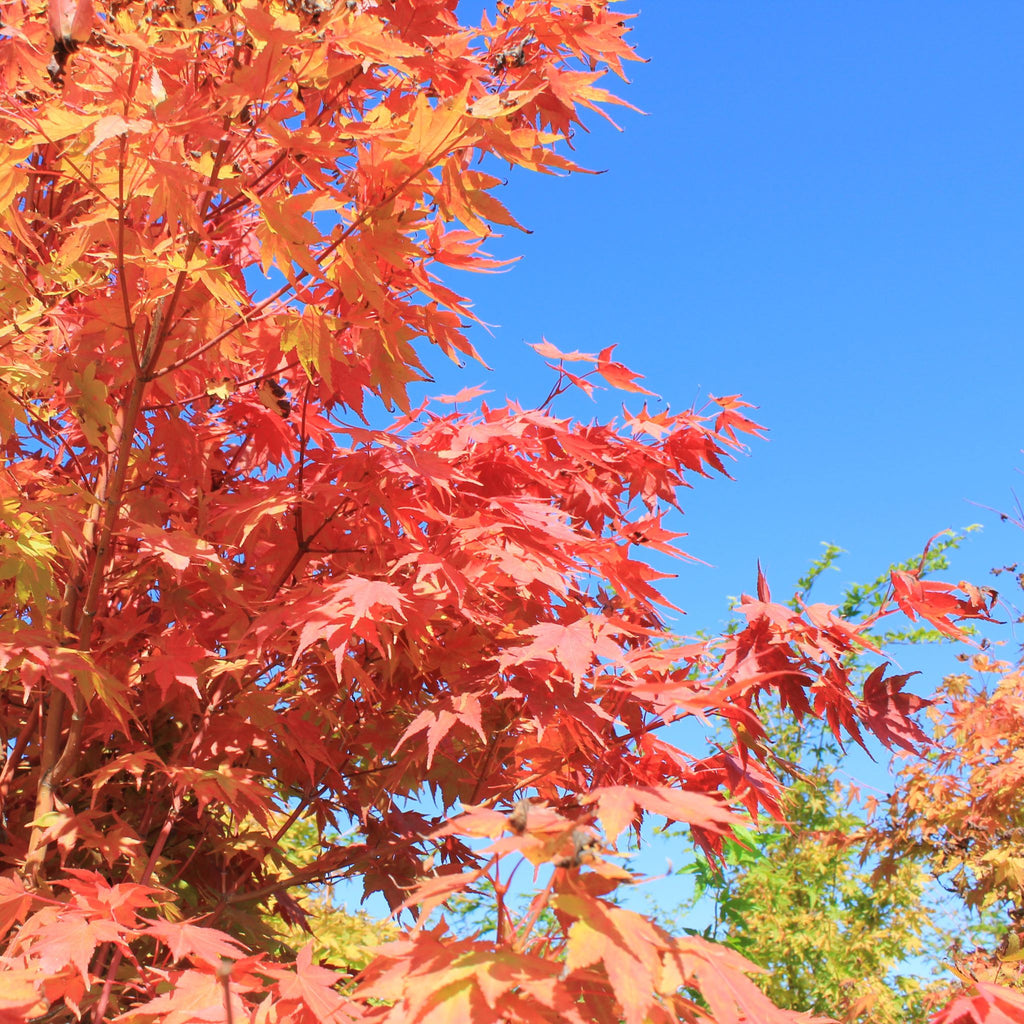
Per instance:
x=797, y=901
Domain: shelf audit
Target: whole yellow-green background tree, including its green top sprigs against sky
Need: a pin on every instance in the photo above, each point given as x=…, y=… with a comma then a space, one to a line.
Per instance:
x=796, y=897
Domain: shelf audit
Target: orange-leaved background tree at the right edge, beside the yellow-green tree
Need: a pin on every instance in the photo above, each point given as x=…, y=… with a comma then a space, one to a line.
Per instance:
x=959, y=814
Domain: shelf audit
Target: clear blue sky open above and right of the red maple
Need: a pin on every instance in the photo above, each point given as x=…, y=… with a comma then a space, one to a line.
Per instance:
x=822, y=208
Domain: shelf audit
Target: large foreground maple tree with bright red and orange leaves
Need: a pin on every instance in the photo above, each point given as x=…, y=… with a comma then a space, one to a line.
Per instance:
x=235, y=606
